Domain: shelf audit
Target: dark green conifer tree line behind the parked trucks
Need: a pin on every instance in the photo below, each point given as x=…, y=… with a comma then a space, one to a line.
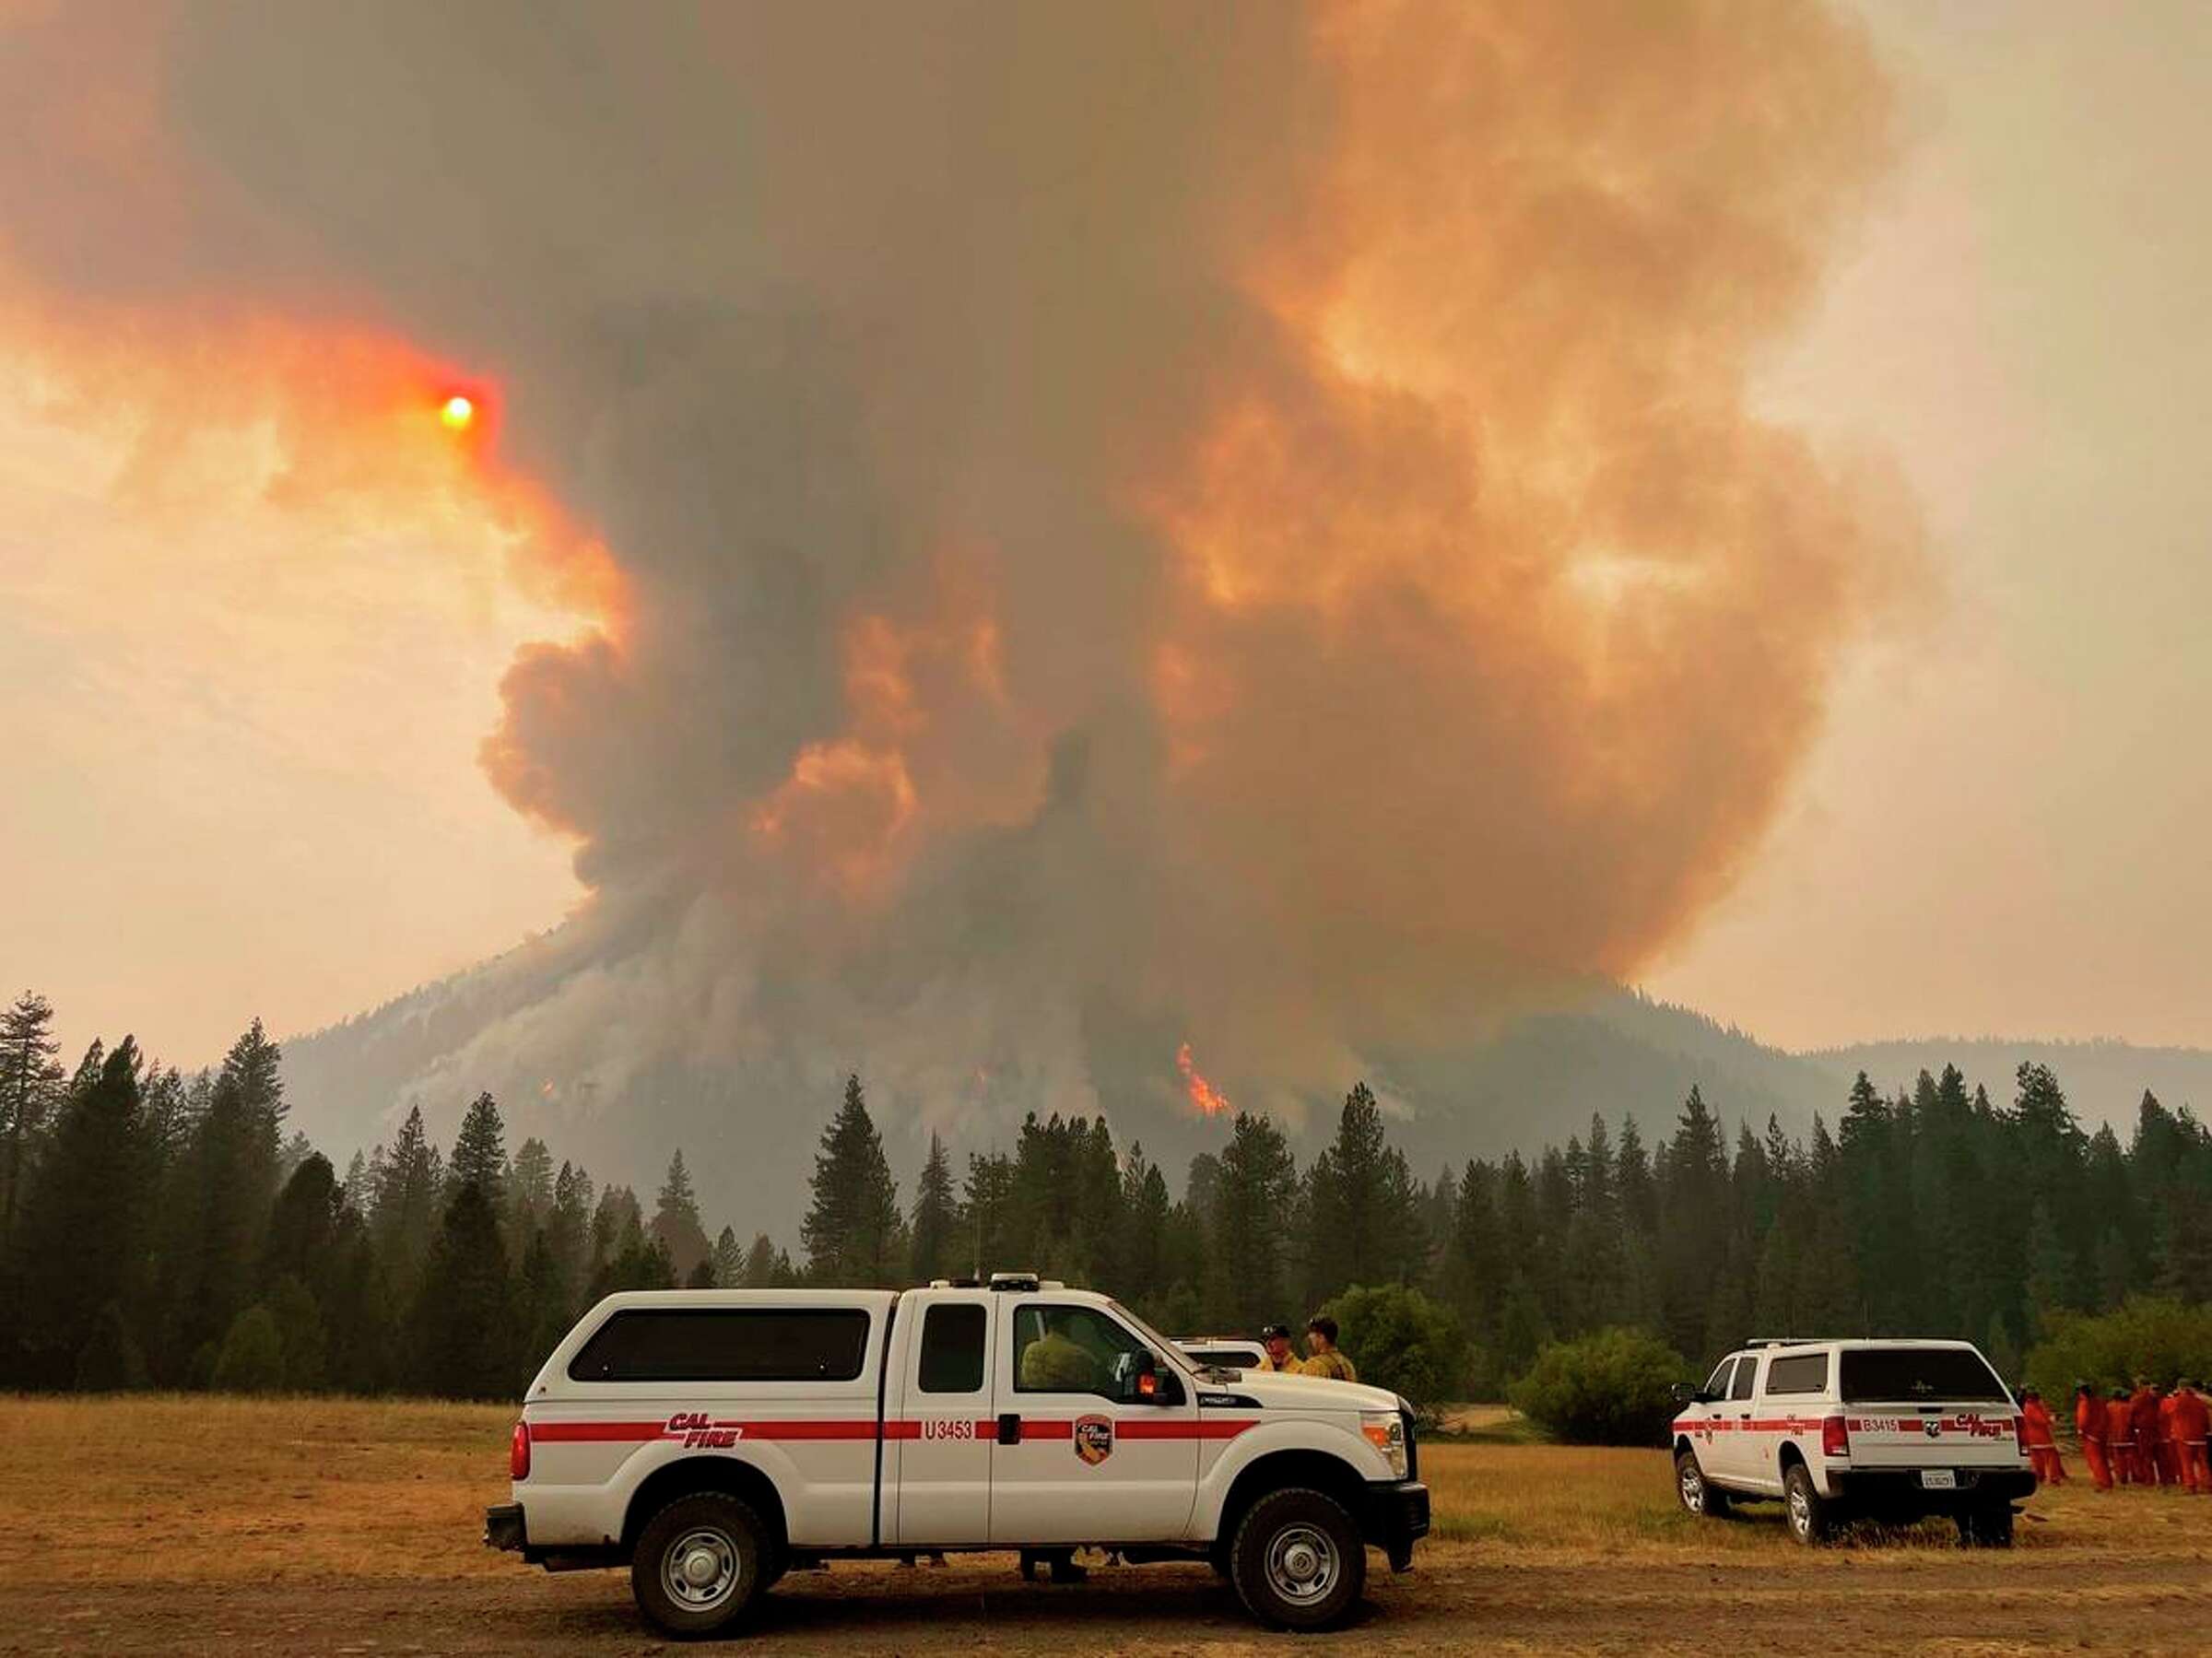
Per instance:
x=167, y=1232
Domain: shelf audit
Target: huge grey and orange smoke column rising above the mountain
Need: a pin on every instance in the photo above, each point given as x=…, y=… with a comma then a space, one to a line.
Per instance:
x=1134, y=525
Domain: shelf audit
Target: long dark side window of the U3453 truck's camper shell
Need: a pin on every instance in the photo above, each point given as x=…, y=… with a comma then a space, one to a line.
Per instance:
x=727, y=1345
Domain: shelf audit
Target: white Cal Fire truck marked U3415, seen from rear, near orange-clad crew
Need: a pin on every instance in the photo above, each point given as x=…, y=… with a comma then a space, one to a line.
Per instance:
x=1857, y=1429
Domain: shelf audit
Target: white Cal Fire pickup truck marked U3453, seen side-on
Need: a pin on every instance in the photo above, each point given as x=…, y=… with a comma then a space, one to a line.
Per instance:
x=713, y=1440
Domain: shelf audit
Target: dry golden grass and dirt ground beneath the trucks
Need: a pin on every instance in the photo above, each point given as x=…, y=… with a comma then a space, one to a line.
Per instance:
x=191, y=1526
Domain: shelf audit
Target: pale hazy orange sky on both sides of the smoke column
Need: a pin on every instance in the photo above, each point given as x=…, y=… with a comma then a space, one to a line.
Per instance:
x=244, y=731
